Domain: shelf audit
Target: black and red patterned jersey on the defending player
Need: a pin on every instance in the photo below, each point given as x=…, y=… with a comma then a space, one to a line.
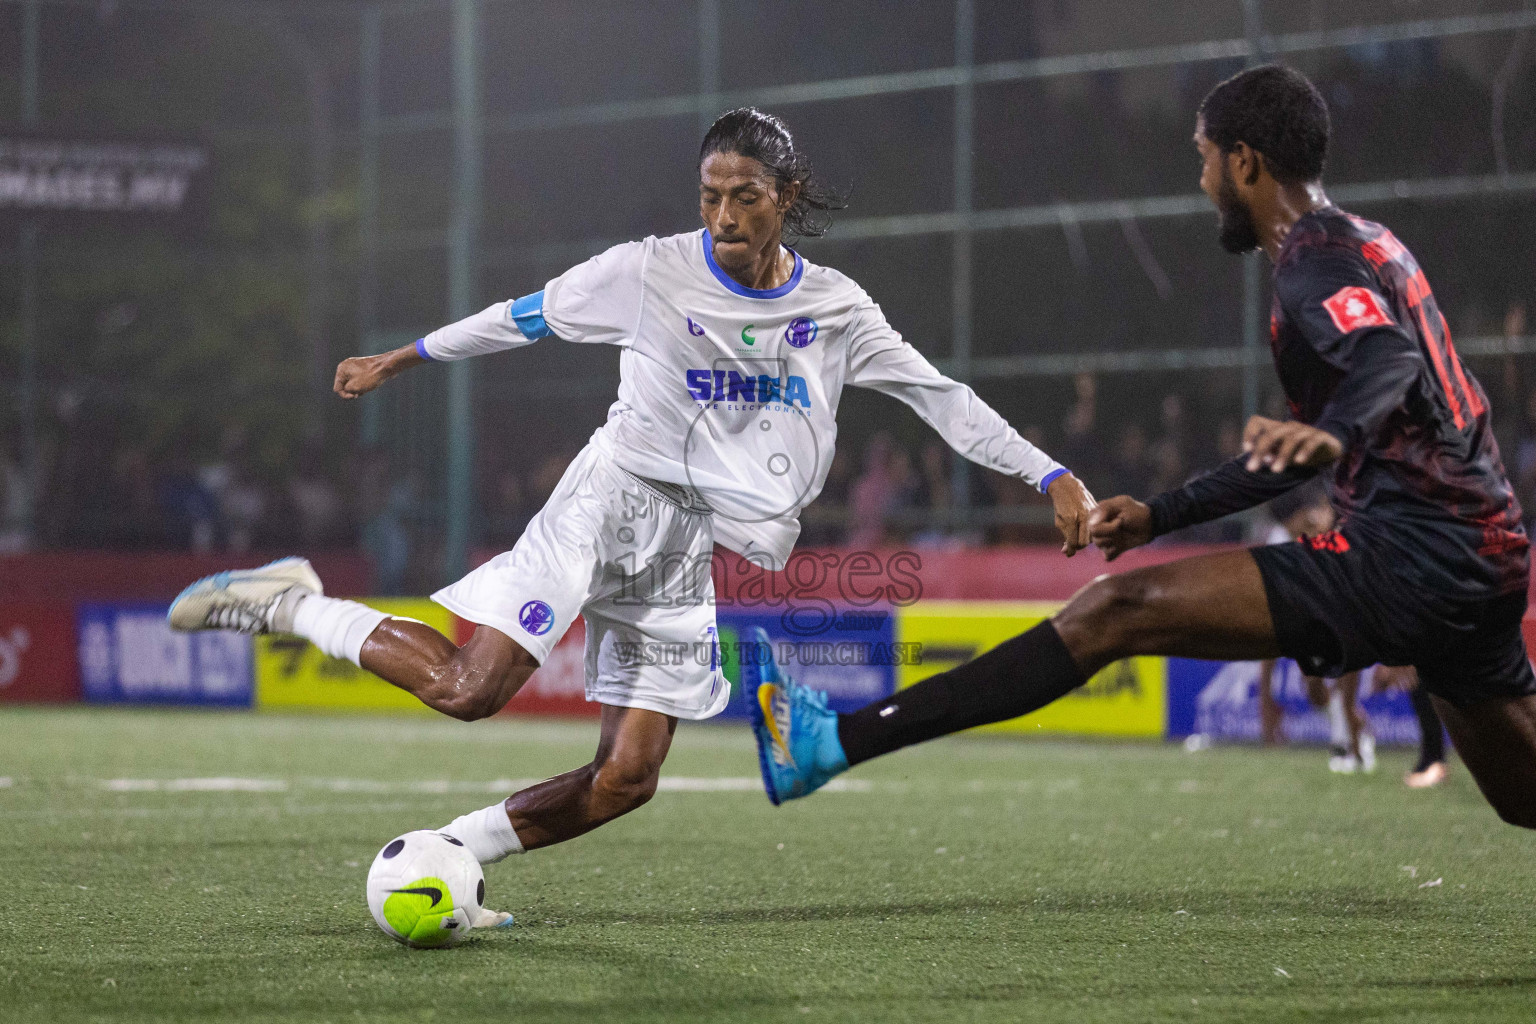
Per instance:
x=1423, y=480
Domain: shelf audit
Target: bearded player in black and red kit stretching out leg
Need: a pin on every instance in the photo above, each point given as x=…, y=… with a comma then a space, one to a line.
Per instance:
x=1429, y=563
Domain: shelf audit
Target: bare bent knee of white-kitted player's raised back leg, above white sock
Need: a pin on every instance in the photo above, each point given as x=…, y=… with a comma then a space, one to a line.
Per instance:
x=465, y=682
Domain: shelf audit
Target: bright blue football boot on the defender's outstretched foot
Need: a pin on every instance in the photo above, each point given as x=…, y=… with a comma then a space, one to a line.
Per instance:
x=798, y=745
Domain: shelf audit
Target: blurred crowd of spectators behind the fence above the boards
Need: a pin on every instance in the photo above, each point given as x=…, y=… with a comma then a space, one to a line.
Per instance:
x=104, y=492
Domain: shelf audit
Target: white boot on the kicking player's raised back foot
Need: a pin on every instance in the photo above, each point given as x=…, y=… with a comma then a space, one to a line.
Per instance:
x=245, y=601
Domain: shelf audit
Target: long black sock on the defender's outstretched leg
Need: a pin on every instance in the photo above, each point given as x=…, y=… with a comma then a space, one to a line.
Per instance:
x=1013, y=679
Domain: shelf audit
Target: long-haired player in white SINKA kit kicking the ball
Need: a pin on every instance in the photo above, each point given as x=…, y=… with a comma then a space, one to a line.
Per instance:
x=735, y=354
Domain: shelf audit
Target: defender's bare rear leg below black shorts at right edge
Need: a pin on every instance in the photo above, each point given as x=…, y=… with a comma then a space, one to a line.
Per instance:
x=1497, y=741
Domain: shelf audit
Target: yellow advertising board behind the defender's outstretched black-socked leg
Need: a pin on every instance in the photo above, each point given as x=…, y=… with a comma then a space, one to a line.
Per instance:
x=1125, y=699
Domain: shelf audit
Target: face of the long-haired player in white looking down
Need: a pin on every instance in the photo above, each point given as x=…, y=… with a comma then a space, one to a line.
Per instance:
x=743, y=208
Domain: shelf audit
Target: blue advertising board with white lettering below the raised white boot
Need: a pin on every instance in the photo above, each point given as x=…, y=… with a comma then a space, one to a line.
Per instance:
x=128, y=655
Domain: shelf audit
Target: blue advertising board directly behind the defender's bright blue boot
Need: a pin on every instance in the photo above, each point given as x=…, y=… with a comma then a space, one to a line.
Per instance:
x=847, y=652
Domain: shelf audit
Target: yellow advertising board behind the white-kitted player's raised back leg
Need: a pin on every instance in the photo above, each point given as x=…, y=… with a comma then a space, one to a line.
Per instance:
x=293, y=675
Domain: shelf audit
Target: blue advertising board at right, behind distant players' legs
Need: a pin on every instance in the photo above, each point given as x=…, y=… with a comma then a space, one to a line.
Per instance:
x=1220, y=701
